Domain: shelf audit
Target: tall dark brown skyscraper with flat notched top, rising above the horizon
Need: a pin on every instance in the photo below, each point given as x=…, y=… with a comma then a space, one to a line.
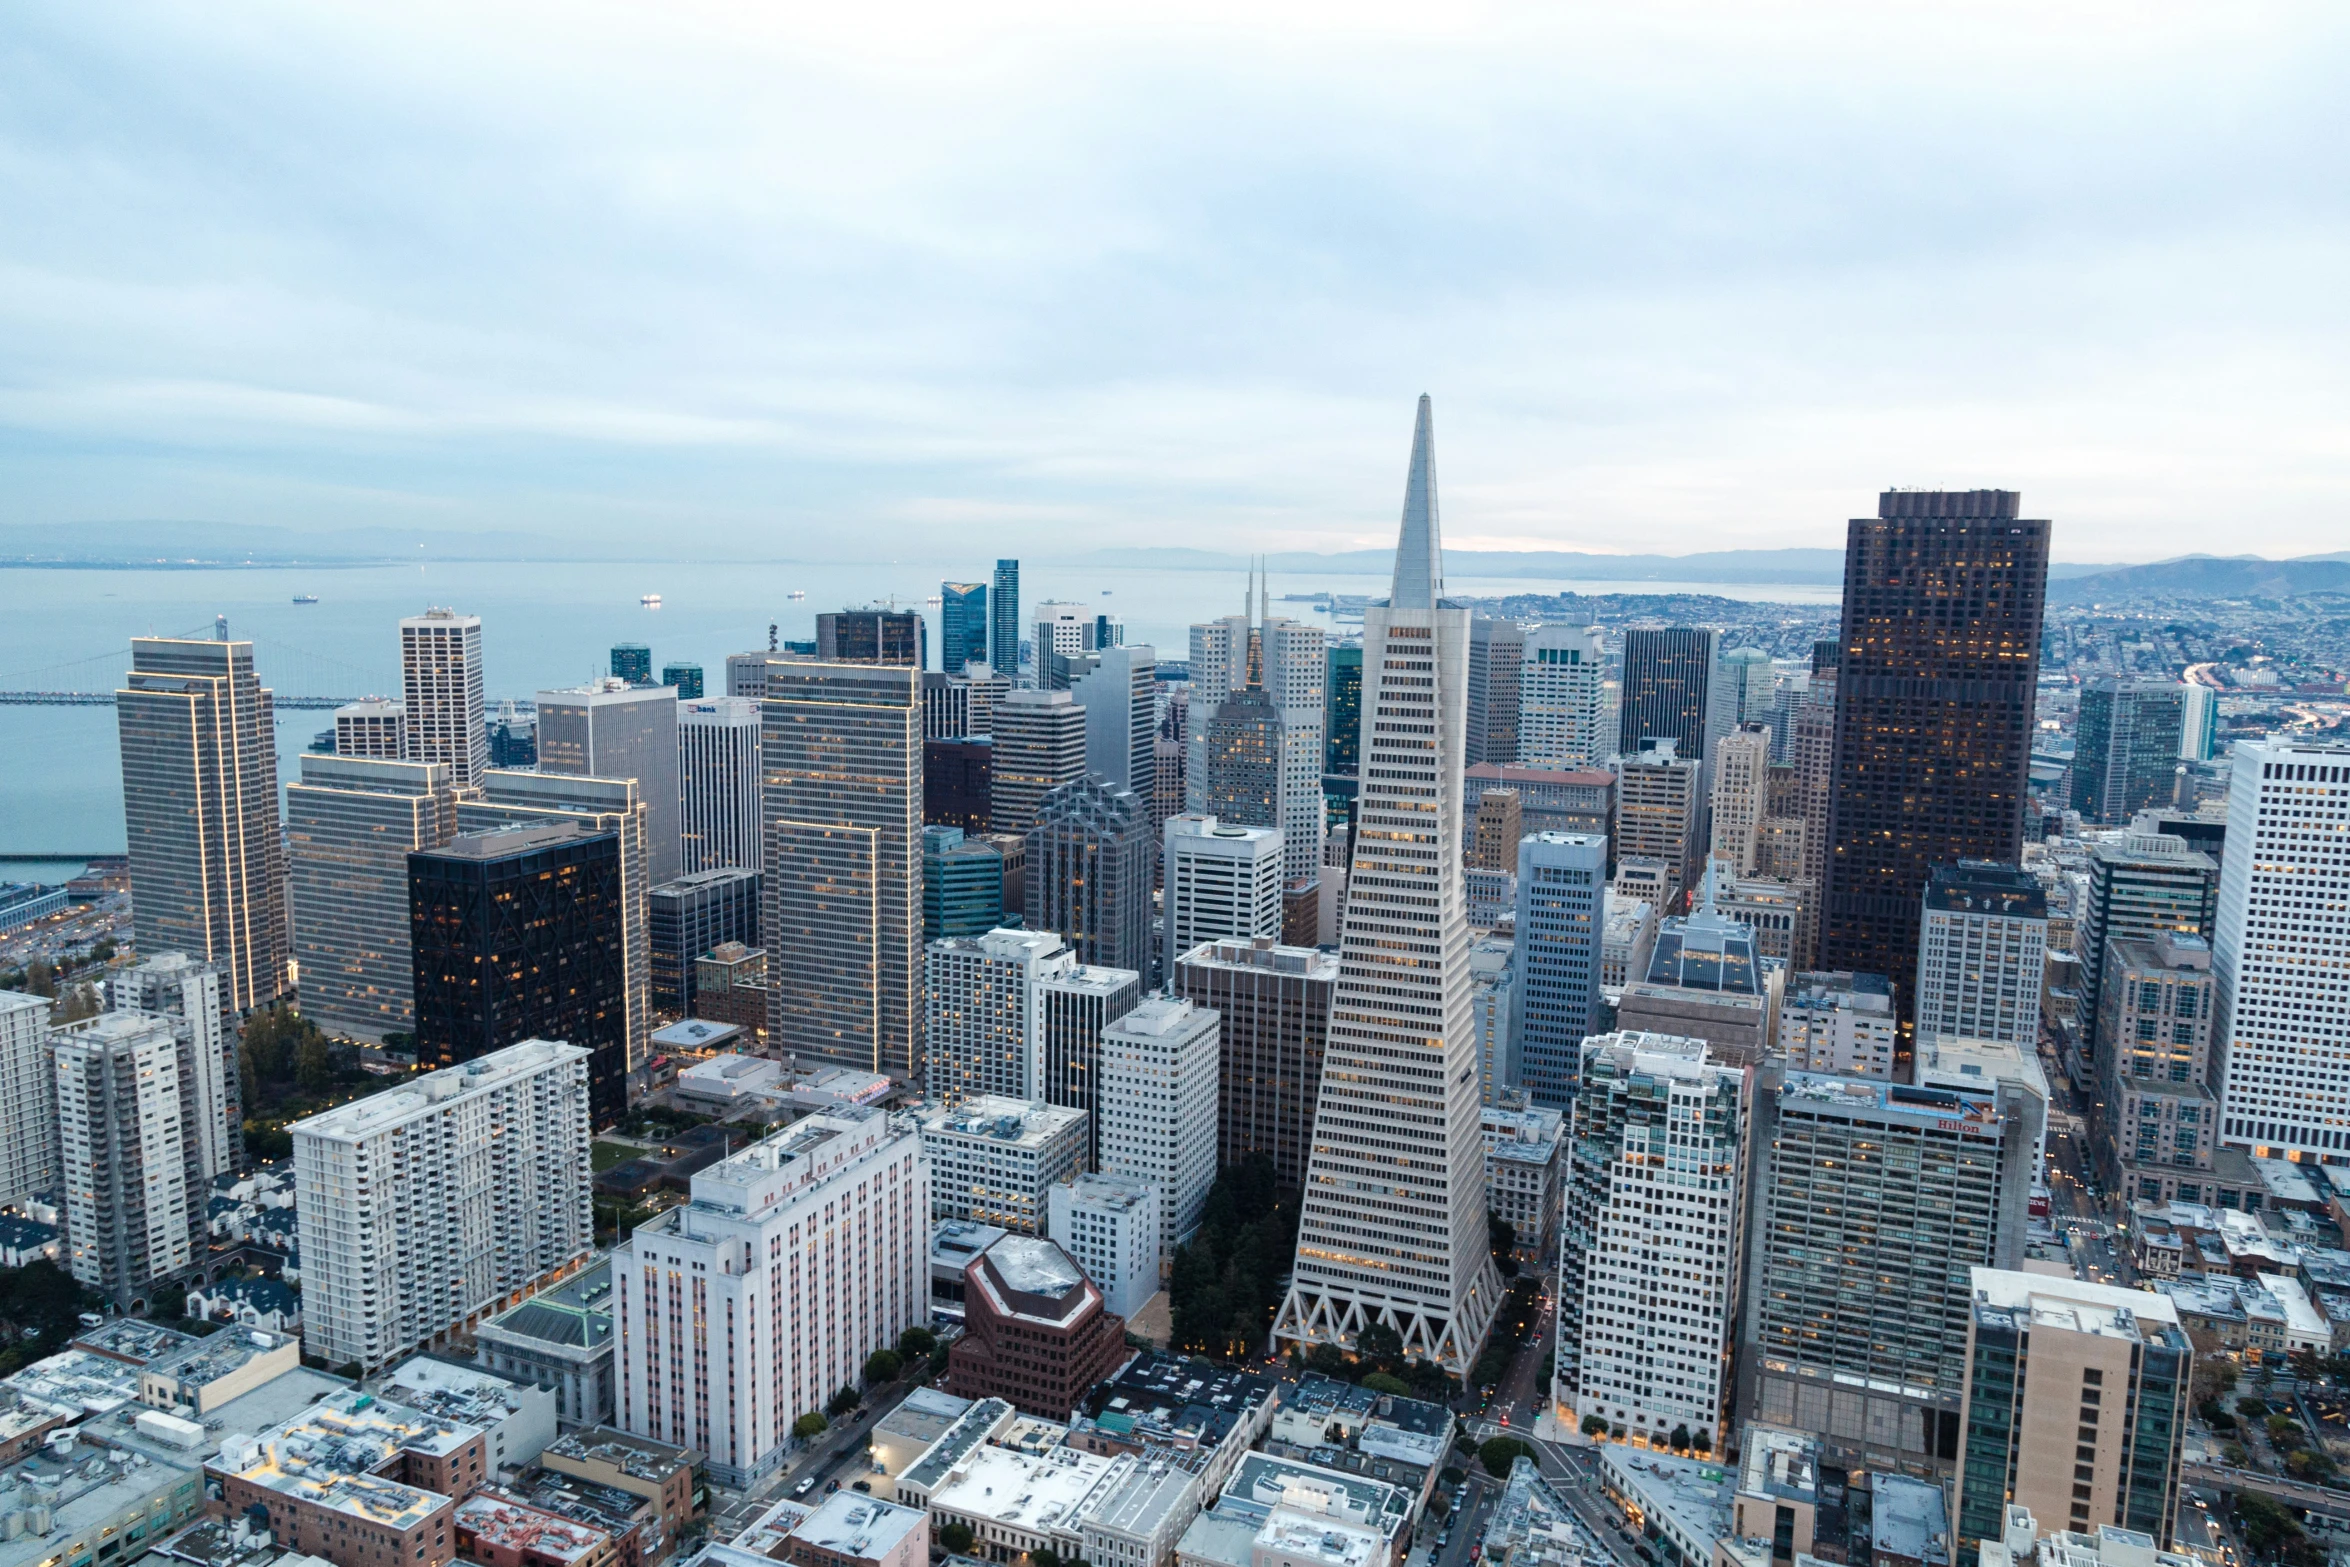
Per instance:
x=1933, y=713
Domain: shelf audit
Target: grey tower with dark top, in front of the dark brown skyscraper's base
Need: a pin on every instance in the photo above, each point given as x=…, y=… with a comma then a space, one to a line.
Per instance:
x=1982, y=953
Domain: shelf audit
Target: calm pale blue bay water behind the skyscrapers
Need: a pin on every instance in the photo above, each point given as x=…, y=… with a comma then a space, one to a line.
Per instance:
x=542, y=626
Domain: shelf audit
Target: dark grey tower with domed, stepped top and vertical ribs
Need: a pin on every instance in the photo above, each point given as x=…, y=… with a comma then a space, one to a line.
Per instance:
x=1089, y=873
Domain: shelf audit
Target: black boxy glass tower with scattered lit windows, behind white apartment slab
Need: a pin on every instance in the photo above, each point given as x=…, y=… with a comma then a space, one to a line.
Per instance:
x=516, y=936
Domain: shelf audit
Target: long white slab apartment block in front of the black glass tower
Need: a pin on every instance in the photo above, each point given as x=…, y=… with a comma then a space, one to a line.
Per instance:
x=429, y=1206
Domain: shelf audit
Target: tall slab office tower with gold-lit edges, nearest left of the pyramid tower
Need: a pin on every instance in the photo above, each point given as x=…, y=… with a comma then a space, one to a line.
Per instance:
x=842, y=830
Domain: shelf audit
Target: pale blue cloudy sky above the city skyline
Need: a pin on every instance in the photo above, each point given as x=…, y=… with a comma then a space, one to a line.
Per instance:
x=861, y=281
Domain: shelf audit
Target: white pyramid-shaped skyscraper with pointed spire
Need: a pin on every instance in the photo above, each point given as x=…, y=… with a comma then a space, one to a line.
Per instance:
x=1392, y=1230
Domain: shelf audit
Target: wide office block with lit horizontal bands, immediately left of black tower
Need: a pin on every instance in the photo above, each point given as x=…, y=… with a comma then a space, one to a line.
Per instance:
x=351, y=826
